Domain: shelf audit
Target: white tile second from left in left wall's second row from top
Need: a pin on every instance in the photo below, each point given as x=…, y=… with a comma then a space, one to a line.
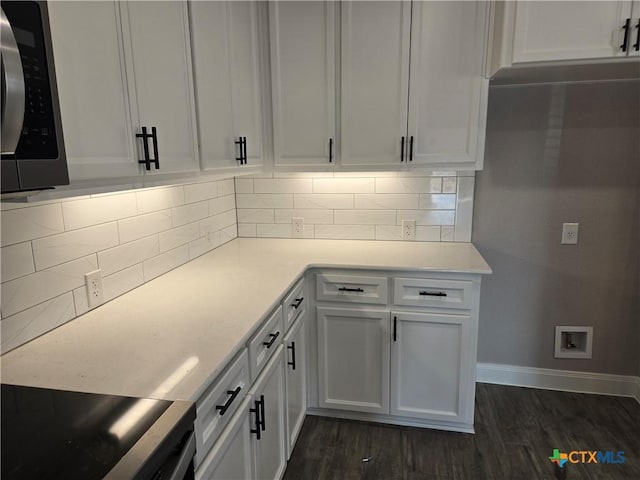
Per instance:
x=61, y=248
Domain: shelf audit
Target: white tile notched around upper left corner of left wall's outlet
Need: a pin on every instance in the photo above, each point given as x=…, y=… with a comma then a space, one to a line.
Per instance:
x=24, y=292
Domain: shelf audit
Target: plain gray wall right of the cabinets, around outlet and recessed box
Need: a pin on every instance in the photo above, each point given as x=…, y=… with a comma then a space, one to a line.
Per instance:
x=554, y=154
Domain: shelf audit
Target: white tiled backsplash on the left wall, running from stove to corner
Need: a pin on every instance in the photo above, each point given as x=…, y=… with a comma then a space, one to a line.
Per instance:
x=132, y=237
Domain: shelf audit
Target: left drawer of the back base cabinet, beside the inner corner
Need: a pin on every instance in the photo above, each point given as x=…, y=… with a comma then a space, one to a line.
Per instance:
x=351, y=288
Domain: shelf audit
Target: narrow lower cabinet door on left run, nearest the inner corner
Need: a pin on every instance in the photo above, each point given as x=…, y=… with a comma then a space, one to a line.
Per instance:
x=296, y=379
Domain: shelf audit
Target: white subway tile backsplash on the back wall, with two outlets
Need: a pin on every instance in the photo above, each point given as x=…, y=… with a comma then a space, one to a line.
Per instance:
x=365, y=206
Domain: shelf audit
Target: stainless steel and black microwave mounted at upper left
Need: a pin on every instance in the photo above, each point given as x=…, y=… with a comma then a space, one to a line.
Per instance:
x=33, y=154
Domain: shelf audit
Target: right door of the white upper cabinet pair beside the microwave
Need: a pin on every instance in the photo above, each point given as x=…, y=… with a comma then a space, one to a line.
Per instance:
x=158, y=49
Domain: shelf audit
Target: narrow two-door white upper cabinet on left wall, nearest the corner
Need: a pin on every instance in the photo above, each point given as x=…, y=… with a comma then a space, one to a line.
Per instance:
x=226, y=67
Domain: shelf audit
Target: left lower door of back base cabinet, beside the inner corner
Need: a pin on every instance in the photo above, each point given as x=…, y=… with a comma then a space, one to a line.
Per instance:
x=353, y=359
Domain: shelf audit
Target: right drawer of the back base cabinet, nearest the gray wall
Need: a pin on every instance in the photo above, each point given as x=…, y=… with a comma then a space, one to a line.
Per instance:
x=430, y=292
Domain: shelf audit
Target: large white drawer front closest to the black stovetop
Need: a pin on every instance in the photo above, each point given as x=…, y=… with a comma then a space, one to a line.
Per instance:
x=216, y=407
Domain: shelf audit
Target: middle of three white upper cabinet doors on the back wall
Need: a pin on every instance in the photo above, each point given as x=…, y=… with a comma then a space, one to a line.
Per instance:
x=375, y=81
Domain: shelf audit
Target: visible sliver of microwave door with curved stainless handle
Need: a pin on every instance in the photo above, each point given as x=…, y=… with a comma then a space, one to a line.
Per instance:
x=13, y=91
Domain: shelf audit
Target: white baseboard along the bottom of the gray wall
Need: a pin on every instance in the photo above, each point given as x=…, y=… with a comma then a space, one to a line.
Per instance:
x=565, y=380
